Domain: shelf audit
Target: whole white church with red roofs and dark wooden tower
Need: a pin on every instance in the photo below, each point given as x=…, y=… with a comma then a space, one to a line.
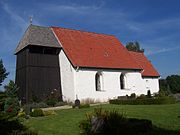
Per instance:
x=80, y=64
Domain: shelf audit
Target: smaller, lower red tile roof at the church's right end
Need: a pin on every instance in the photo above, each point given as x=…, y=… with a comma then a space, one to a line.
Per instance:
x=148, y=69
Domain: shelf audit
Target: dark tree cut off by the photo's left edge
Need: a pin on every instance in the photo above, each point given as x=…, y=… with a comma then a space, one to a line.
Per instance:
x=3, y=73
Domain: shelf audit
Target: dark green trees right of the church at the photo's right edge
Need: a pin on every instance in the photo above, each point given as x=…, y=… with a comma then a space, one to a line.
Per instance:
x=171, y=84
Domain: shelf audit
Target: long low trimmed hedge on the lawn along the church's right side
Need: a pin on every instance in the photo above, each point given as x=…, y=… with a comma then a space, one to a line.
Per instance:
x=145, y=101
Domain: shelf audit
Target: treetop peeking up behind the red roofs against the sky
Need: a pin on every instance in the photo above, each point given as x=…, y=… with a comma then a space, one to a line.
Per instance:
x=134, y=46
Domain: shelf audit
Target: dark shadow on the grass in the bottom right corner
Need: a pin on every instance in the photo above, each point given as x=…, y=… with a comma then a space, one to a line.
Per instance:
x=160, y=131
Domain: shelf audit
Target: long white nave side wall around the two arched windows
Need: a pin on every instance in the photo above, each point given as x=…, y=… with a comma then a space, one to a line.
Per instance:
x=85, y=84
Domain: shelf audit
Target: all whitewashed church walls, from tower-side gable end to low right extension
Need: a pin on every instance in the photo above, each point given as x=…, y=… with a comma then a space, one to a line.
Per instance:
x=81, y=82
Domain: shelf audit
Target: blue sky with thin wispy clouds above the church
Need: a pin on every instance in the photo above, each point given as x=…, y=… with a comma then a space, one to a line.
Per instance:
x=155, y=24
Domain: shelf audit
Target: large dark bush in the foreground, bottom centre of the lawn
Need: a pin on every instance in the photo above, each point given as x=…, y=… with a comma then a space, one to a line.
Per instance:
x=112, y=123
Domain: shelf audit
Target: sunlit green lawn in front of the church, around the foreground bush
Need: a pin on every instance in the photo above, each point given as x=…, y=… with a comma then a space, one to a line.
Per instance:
x=164, y=117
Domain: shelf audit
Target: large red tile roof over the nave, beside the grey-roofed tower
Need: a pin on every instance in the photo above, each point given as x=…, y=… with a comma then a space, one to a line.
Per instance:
x=87, y=49
